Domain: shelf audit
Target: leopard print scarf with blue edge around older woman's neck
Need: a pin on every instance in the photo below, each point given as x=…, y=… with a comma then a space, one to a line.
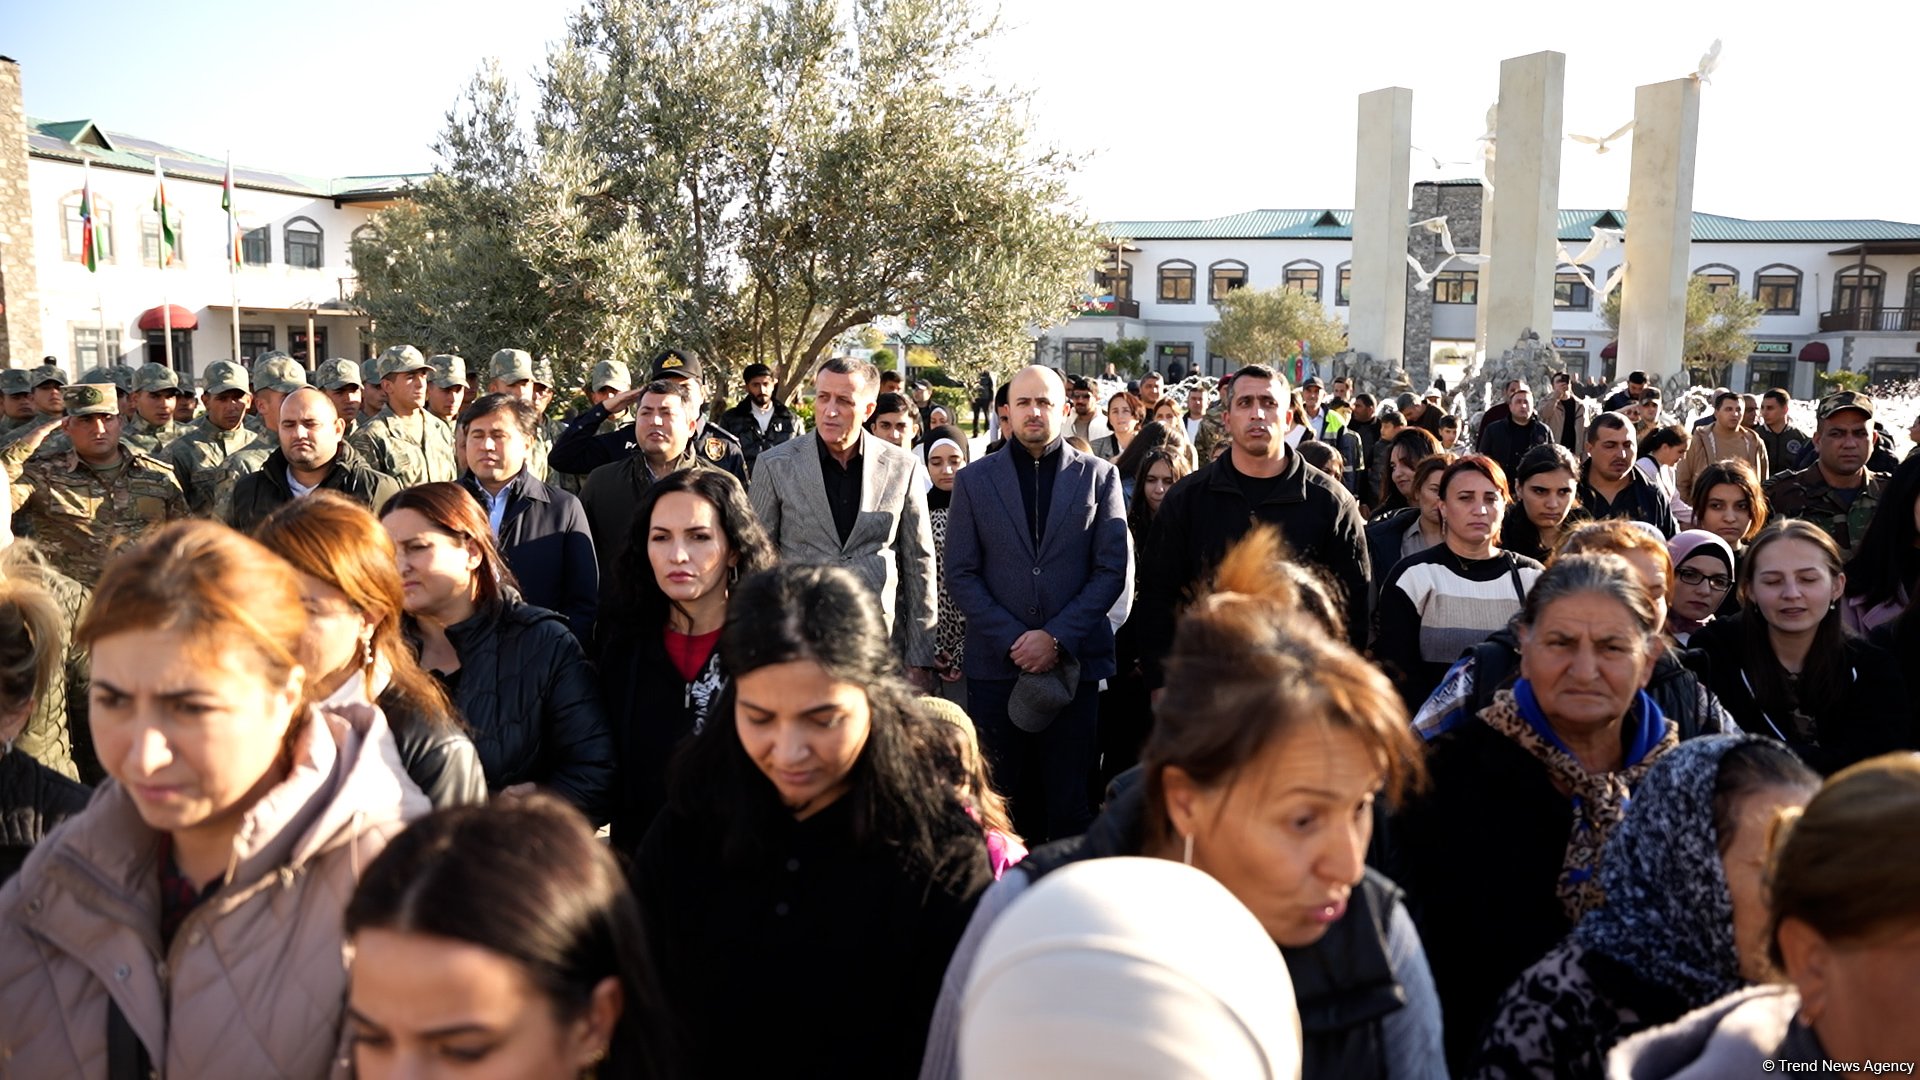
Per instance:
x=1598, y=798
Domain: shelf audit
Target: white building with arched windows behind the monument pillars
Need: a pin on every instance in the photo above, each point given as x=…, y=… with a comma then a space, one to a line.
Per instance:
x=1829, y=303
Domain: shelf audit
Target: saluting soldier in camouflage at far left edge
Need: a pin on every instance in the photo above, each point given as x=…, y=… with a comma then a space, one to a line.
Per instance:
x=93, y=499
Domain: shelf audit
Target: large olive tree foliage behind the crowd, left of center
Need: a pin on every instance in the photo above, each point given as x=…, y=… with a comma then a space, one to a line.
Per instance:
x=769, y=174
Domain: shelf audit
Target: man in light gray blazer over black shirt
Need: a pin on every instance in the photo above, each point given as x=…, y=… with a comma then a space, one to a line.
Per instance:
x=846, y=499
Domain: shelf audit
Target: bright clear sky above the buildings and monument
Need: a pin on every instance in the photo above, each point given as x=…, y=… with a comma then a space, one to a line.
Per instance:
x=1186, y=109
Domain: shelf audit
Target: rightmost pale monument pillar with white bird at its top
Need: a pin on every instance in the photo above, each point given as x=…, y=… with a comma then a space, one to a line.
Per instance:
x=1660, y=230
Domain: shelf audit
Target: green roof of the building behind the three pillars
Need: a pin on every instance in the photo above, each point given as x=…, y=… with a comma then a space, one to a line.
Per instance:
x=1573, y=226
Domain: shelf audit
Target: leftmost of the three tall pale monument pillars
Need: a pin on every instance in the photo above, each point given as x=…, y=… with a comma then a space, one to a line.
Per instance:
x=1378, y=312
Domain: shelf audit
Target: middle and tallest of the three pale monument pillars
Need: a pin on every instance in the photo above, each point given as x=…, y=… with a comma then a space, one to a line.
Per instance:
x=1518, y=283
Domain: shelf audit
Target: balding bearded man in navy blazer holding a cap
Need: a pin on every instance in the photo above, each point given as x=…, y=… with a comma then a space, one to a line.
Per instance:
x=1055, y=526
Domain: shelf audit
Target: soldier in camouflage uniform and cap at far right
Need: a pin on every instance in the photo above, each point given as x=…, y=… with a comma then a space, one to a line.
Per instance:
x=1836, y=493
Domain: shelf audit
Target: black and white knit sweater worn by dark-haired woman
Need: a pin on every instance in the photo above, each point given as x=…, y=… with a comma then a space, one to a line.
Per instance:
x=1437, y=604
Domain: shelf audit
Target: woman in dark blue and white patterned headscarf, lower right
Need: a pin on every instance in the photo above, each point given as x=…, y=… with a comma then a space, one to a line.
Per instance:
x=1685, y=920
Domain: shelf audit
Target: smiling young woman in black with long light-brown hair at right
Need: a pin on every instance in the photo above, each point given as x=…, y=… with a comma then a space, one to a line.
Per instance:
x=1787, y=666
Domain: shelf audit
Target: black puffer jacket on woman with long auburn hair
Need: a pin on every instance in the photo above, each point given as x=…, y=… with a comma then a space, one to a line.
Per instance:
x=529, y=700
